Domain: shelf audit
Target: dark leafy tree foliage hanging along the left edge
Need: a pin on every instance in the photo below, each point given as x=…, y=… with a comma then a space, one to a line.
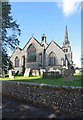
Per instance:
x=10, y=32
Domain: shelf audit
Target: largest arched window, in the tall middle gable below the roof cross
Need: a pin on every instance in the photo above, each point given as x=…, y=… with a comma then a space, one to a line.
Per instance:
x=31, y=54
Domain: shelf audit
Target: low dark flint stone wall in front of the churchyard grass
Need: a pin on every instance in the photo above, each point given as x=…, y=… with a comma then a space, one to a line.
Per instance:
x=63, y=101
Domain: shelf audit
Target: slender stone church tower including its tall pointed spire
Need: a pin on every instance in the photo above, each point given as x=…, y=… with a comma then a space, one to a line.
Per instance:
x=66, y=46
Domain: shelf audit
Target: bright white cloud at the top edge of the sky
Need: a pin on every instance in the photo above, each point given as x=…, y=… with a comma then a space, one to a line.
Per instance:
x=69, y=7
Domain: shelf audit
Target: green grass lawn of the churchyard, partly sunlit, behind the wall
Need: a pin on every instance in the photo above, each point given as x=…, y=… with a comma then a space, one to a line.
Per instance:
x=60, y=81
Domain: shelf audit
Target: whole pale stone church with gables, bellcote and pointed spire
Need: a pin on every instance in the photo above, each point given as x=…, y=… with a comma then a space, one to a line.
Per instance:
x=35, y=55
